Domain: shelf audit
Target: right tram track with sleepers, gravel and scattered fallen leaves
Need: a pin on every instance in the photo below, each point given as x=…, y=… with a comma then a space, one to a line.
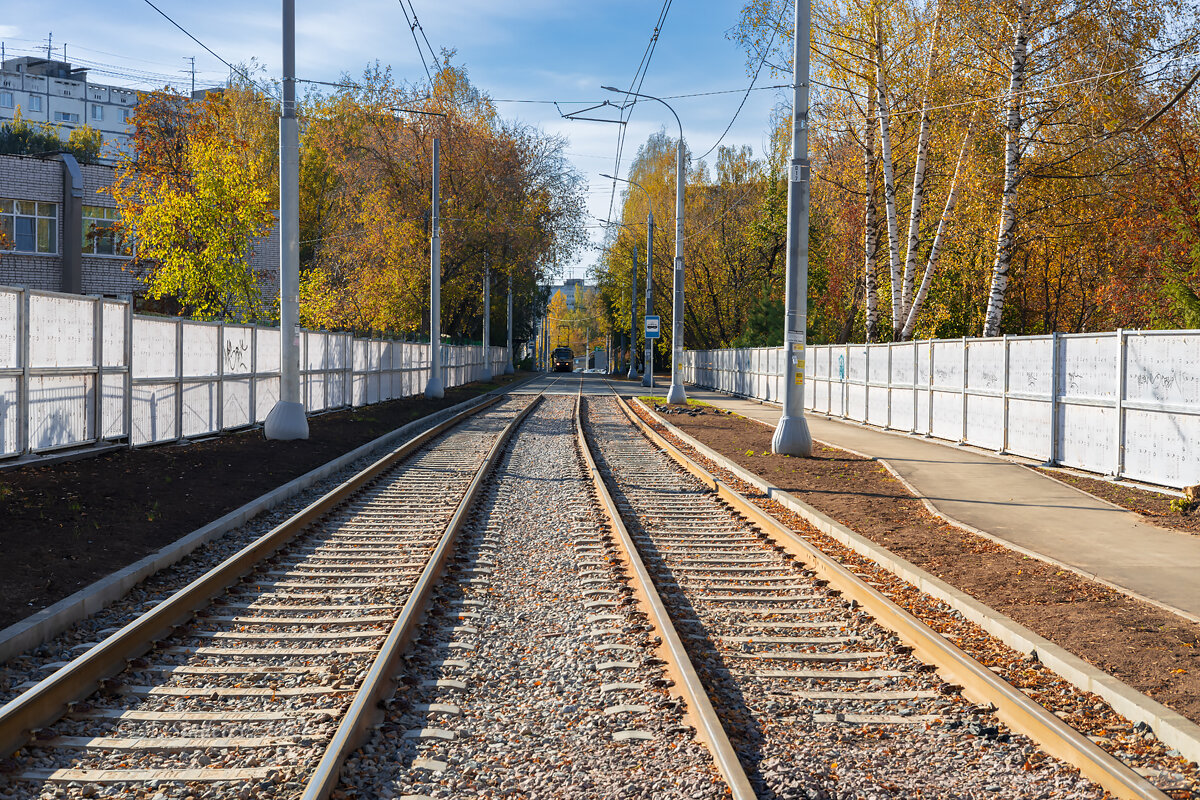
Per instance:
x=817, y=695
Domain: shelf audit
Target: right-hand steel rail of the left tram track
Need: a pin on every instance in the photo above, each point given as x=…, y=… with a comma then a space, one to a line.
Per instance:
x=380, y=682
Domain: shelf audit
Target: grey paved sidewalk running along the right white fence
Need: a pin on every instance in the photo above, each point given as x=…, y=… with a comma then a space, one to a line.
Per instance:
x=1018, y=506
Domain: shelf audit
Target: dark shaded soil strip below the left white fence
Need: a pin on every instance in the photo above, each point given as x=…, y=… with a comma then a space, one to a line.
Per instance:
x=65, y=526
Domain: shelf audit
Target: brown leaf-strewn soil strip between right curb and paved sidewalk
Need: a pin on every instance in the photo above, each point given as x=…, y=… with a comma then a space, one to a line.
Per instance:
x=1150, y=649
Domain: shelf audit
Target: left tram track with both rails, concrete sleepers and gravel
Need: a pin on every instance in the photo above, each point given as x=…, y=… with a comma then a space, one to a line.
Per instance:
x=263, y=673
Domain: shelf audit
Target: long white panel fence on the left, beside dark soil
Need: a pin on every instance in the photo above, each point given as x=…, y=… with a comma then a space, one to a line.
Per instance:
x=82, y=371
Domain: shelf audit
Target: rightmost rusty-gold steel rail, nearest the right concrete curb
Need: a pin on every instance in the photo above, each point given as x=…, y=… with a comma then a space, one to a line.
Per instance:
x=979, y=683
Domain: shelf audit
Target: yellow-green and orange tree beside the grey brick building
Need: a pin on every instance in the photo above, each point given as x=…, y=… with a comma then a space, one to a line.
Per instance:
x=199, y=190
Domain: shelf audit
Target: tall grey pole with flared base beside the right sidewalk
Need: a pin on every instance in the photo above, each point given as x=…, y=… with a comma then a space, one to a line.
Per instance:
x=793, y=437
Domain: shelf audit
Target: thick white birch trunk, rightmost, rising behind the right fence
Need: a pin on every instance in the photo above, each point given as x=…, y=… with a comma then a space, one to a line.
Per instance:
x=1006, y=236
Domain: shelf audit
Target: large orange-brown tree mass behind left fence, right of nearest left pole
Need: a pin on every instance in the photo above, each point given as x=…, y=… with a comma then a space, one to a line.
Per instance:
x=509, y=200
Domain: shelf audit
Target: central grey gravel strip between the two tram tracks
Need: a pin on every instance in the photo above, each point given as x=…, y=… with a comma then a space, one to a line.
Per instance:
x=537, y=675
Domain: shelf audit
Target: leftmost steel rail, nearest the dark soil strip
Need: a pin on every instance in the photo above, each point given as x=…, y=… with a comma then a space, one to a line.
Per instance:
x=51, y=699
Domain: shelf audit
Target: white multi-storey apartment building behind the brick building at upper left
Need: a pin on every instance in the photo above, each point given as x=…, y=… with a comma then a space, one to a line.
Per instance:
x=46, y=91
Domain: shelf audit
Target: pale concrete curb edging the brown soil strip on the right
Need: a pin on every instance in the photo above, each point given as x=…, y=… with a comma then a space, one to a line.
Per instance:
x=1172, y=729
